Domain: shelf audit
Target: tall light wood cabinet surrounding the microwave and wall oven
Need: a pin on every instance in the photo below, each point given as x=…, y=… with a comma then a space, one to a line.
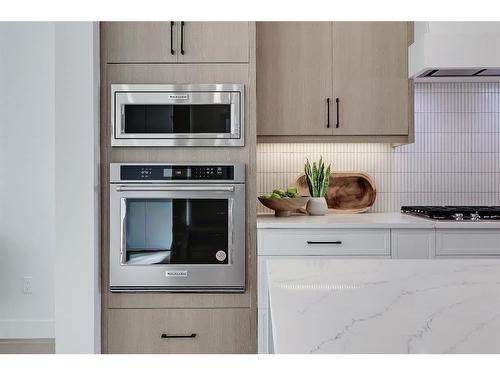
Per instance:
x=214, y=52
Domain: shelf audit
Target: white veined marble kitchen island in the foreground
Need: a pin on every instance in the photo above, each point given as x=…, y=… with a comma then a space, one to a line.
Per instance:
x=320, y=305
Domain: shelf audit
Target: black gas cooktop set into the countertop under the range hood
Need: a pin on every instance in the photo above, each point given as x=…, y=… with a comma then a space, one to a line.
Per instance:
x=469, y=213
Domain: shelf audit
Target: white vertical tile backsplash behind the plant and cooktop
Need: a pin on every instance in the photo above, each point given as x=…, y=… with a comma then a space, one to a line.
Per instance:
x=455, y=158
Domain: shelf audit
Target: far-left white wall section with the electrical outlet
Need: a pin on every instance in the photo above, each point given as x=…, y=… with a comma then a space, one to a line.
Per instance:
x=27, y=199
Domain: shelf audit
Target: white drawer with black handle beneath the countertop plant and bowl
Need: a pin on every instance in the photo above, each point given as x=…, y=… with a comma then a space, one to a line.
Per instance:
x=331, y=242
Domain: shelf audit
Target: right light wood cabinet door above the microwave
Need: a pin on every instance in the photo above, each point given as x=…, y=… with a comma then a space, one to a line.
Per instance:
x=213, y=42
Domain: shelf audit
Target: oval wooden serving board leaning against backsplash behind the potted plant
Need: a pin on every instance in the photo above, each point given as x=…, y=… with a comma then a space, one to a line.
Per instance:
x=348, y=192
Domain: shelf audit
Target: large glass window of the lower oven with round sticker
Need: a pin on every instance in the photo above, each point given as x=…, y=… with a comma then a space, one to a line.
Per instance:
x=176, y=231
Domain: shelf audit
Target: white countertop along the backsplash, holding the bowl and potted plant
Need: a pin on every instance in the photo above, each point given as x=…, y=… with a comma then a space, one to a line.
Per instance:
x=365, y=220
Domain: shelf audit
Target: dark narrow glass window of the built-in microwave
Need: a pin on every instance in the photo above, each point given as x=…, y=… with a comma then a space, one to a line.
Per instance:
x=176, y=118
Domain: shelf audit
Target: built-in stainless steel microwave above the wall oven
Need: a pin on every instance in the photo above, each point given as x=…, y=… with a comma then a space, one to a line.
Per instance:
x=177, y=115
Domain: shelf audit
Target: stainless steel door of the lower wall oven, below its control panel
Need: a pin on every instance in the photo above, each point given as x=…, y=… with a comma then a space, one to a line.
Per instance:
x=177, y=238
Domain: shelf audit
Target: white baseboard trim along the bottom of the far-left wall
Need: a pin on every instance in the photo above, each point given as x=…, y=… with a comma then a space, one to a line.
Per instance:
x=27, y=329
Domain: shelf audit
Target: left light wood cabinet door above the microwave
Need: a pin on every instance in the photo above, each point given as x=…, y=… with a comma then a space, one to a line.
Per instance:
x=134, y=42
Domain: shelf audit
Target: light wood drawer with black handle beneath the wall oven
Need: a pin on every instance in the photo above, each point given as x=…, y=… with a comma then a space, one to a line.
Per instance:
x=215, y=330
